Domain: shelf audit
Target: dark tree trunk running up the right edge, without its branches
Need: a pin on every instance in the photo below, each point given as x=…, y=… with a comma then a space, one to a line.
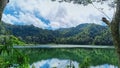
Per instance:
x=115, y=30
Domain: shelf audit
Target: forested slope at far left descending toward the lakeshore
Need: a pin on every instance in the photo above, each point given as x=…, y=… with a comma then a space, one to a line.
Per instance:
x=6, y=38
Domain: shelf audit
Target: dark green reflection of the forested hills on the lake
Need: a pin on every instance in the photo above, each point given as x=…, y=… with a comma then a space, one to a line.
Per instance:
x=85, y=57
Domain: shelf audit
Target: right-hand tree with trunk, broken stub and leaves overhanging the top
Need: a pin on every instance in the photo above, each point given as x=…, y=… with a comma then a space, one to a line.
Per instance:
x=114, y=25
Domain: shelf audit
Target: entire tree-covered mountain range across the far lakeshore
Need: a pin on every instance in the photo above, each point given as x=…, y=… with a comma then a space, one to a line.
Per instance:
x=81, y=34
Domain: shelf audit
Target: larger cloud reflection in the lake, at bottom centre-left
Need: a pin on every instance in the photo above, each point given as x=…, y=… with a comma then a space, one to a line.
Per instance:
x=51, y=63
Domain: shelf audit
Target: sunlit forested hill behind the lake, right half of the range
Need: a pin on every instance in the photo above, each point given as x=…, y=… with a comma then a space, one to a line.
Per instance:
x=87, y=34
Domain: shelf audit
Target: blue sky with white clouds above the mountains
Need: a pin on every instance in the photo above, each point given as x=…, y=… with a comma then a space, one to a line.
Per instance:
x=54, y=15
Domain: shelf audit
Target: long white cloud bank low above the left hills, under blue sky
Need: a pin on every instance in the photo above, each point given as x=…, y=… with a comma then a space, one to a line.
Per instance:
x=25, y=19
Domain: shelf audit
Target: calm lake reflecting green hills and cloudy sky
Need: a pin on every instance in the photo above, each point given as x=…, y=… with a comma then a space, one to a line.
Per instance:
x=92, y=57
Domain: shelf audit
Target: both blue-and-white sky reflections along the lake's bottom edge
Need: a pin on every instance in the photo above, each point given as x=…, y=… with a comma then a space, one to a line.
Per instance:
x=64, y=63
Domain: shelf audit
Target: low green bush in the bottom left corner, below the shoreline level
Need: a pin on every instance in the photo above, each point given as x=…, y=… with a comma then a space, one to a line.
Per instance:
x=14, y=59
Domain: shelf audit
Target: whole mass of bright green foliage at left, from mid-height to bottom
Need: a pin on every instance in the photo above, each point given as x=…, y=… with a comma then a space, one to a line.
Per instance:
x=7, y=53
